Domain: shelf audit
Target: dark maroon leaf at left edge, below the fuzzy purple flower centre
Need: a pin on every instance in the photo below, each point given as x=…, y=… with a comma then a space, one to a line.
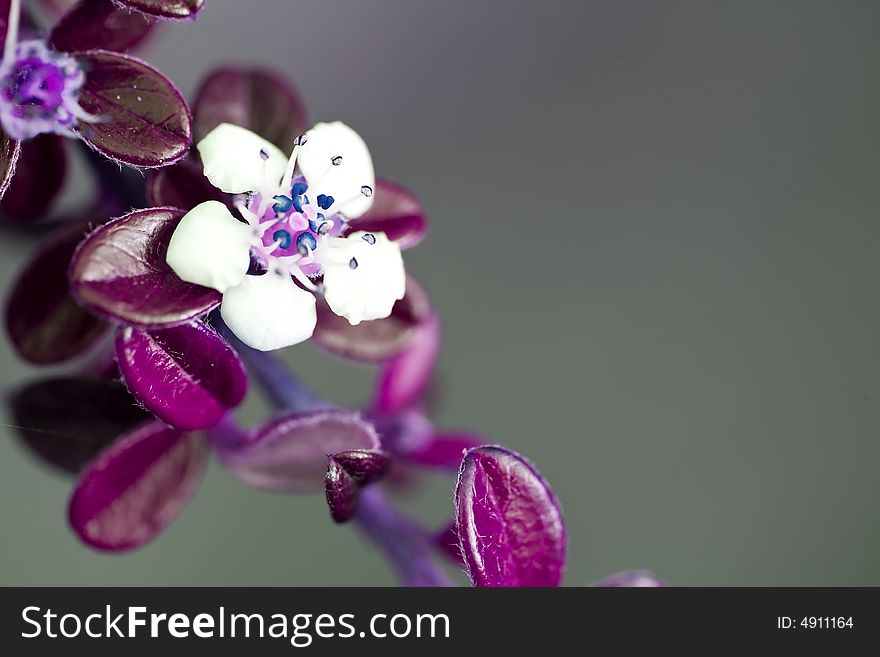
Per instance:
x=39, y=176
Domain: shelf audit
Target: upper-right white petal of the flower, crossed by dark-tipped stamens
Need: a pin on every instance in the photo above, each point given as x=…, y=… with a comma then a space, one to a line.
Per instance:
x=327, y=141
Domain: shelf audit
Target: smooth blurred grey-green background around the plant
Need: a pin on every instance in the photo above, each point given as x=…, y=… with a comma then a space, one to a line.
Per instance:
x=654, y=246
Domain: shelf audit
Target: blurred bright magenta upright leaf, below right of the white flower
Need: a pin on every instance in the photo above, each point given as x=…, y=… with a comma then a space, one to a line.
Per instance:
x=402, y=381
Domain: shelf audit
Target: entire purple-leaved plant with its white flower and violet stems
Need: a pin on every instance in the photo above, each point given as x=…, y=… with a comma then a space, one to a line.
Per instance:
x=263, y=236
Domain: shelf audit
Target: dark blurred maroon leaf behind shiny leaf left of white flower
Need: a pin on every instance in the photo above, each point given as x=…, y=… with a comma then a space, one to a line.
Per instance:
x=43, y=321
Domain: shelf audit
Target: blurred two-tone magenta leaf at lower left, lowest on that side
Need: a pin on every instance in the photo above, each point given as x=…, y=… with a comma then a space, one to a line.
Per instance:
x=136, y=487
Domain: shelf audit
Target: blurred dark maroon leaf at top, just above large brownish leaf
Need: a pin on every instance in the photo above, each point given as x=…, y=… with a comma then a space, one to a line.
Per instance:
x=101, y=24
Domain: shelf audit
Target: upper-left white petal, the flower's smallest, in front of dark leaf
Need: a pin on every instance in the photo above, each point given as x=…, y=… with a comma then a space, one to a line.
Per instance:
x=234, y=164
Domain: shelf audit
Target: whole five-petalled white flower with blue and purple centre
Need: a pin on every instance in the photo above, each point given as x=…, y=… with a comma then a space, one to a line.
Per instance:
x=294, y=229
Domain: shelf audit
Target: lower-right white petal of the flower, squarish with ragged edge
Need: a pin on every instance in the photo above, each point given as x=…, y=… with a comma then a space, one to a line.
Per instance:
x=366, y=291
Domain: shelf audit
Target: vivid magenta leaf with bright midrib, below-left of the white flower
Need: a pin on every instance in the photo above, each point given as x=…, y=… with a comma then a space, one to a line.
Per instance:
x=187, y=376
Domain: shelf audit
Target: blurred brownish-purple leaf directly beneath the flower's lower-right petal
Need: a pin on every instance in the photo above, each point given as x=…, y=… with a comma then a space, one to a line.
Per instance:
x=378, y=340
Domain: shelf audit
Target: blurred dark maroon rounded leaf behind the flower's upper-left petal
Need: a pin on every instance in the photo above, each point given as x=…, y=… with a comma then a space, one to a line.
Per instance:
x=256, y=99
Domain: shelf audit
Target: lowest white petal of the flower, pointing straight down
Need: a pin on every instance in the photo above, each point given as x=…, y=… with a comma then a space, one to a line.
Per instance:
x=269, y=312
